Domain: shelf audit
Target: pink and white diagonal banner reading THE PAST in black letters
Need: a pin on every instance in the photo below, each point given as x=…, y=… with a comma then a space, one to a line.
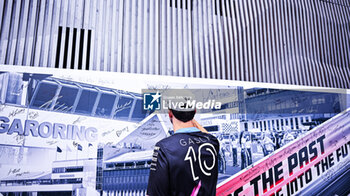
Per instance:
x=292, y=168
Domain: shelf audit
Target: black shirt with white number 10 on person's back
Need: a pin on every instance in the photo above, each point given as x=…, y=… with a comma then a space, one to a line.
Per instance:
x=185, y=163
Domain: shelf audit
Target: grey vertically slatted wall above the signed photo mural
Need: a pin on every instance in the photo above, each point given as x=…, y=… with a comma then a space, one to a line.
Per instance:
x=278, y=41
